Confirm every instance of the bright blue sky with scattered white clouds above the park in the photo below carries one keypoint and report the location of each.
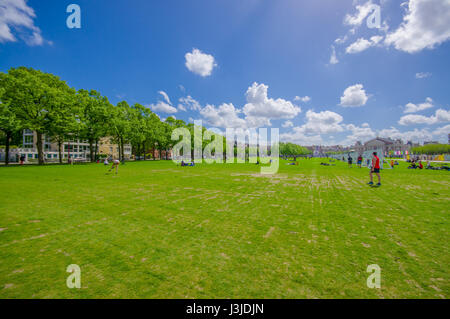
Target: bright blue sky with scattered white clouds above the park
(252, 63)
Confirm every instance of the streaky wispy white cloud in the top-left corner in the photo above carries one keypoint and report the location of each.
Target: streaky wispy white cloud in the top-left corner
(16, 19)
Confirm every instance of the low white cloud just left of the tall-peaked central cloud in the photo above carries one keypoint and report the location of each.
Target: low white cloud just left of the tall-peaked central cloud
(226, 115)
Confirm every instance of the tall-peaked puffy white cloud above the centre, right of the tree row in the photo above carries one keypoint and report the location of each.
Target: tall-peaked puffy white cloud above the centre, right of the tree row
(260, 109)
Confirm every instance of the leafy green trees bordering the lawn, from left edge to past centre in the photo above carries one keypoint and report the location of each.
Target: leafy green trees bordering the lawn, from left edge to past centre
(42, 102)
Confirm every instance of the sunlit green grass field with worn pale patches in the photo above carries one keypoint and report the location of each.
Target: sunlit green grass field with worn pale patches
(157, 230)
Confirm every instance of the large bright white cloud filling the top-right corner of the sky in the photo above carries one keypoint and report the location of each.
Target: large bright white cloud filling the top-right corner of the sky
(425, 25)
